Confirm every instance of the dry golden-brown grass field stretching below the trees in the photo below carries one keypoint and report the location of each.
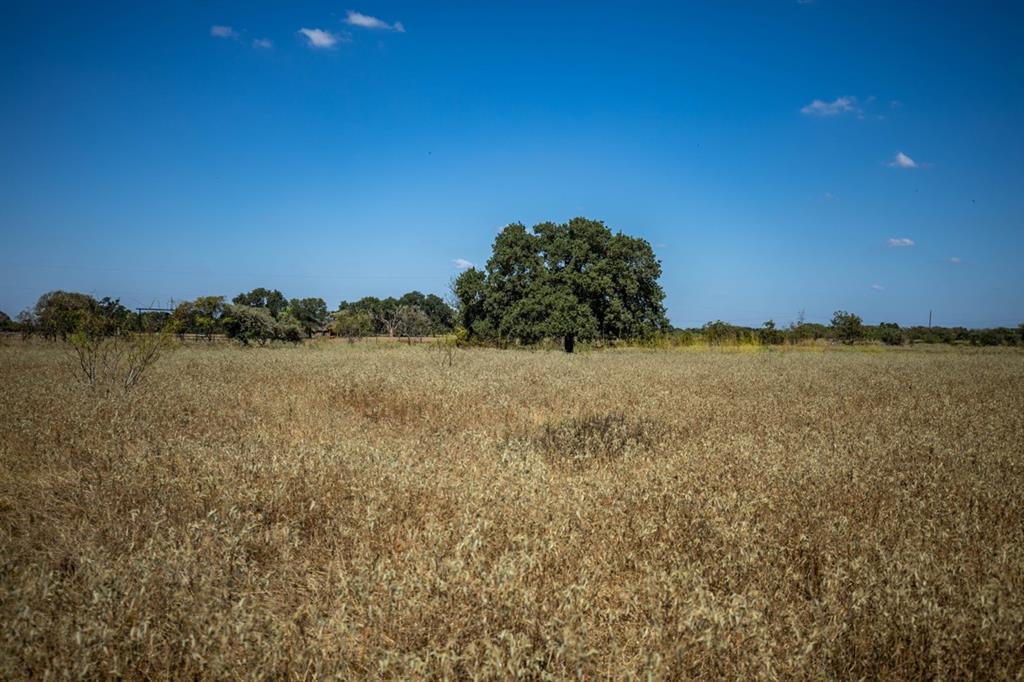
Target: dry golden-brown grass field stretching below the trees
(370, 513)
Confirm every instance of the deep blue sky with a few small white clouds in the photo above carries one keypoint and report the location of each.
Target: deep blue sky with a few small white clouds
(781, 156)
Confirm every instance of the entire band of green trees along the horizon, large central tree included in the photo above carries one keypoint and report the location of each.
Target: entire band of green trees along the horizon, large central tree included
(524, 295)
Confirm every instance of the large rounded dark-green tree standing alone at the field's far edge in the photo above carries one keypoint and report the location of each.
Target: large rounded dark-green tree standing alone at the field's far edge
(575, 281)
